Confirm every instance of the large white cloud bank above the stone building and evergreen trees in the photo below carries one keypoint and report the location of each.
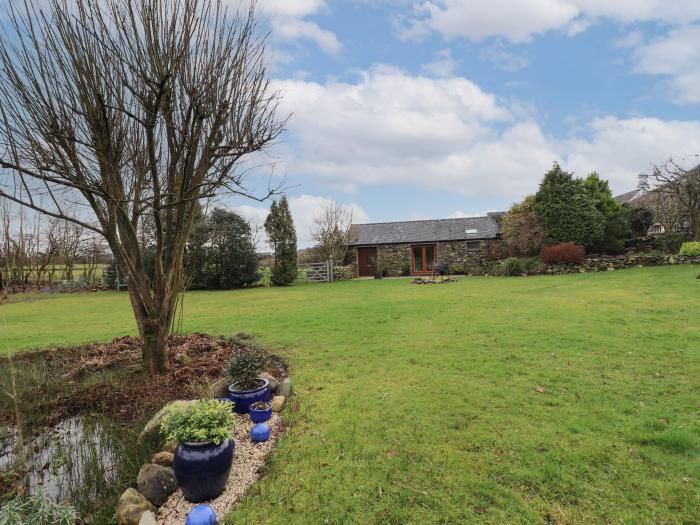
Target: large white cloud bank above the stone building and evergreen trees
(393, 129)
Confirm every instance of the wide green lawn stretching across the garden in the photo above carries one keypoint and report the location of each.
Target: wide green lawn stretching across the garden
(417, 404)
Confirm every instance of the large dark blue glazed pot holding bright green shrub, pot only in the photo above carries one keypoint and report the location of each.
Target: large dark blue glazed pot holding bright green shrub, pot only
(202, 469)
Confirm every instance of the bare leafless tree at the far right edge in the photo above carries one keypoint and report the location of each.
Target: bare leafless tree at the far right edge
(680, 184)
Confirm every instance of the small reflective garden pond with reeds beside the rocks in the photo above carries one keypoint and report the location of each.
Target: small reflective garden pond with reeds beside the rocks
(86, 461)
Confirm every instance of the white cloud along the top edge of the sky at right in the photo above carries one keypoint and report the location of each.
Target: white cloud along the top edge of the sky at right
(520, 20)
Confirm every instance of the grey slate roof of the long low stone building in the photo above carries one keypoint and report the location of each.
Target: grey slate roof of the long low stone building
(425, 231)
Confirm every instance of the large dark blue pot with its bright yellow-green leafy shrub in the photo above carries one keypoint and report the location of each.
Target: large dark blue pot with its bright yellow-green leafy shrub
(204, 453)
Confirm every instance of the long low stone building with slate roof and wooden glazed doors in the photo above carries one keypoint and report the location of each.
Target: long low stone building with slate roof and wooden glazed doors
(418, 247)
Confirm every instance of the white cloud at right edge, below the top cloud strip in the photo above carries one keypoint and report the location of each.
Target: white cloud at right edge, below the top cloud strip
(676, 56)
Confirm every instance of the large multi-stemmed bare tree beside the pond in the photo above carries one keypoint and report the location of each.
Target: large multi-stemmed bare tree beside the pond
(128, 109)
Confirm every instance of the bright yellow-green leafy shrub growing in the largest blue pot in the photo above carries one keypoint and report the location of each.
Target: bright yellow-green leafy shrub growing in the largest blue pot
(208, 420)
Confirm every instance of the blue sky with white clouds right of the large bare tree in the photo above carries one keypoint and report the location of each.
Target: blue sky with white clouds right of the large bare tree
(412, 109)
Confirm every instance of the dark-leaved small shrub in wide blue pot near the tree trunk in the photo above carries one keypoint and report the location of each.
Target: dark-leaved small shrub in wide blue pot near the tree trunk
(246, 387)
